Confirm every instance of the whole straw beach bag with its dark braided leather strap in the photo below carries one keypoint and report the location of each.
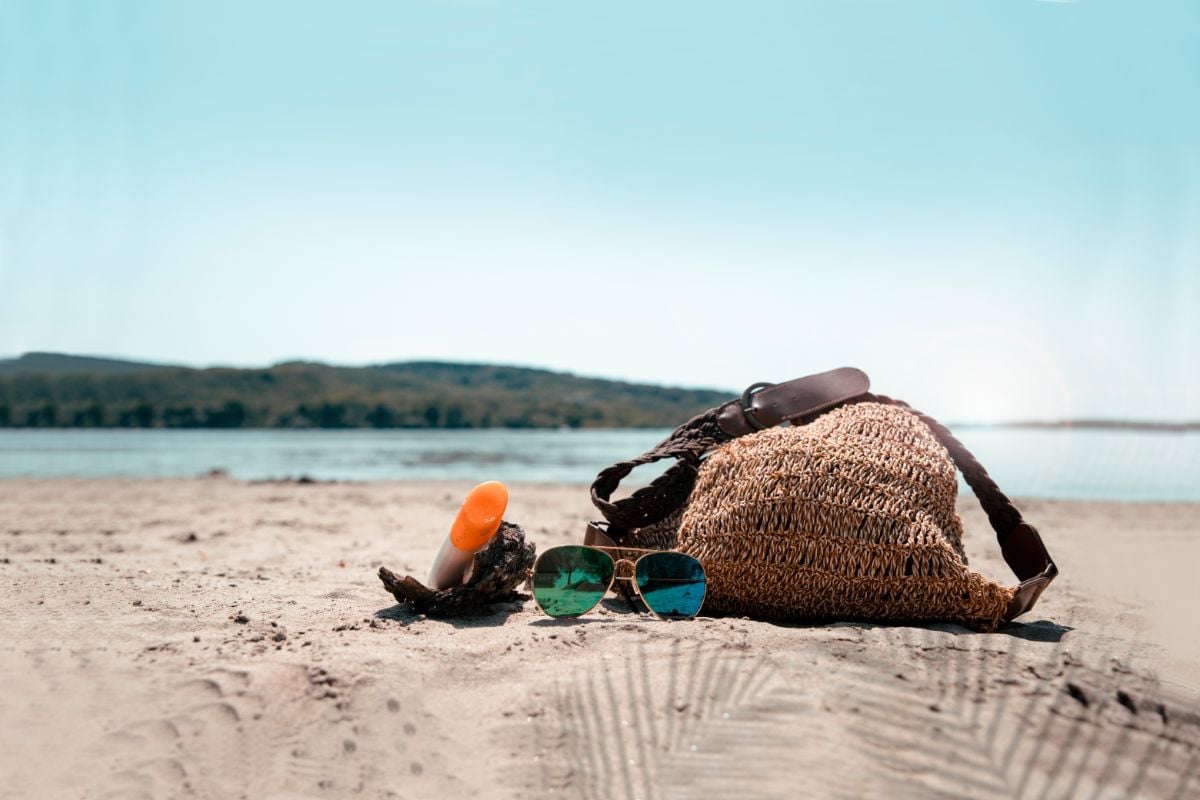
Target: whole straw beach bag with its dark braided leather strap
(818, 501)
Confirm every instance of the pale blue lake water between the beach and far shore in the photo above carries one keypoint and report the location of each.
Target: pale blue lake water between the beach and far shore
(1060, 464)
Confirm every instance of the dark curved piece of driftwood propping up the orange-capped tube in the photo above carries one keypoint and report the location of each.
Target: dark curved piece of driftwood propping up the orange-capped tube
(495, 574)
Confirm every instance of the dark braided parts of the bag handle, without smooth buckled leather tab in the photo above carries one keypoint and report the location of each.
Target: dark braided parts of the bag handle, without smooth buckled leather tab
(1019, 542)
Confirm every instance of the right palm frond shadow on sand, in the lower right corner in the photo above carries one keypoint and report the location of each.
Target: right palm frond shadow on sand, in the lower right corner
(1027, 724)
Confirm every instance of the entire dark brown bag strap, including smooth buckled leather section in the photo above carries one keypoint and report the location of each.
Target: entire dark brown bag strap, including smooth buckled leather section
(800, 401)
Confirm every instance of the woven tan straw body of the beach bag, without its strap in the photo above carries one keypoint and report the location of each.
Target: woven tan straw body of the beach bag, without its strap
(848, 518)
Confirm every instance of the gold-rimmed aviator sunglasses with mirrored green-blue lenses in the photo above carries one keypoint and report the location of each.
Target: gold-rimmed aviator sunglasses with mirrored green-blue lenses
(571, 580)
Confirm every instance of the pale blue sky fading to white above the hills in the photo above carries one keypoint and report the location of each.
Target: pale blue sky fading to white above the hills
(992, 208)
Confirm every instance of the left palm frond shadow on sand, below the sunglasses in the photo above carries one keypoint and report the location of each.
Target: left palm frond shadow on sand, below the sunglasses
(703, 724)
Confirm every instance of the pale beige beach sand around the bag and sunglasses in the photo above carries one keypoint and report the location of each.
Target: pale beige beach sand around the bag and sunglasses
(213, 639)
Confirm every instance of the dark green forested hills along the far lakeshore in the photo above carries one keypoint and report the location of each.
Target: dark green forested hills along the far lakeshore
(419, 395)
